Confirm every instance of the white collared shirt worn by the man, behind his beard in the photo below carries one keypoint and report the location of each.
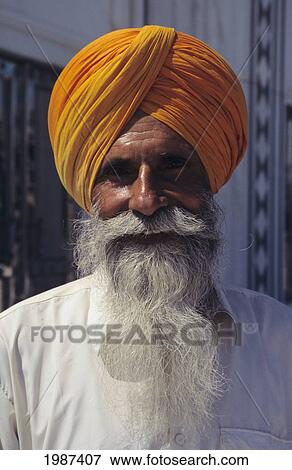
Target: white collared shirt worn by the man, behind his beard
(51, 395)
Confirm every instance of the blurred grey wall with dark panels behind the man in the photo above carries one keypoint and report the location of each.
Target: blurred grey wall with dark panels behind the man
(37, 38)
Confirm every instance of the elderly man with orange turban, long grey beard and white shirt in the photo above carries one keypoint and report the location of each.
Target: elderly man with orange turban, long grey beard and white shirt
(146, 350)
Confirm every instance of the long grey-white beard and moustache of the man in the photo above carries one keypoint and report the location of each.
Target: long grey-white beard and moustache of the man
(158, 274)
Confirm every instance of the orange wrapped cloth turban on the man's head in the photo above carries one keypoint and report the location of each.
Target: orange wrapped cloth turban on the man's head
(170, 75)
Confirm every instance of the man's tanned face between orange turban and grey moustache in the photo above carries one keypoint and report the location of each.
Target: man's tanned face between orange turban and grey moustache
(149, 167)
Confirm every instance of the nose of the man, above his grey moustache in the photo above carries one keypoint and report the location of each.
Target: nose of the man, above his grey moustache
(144, 195)
